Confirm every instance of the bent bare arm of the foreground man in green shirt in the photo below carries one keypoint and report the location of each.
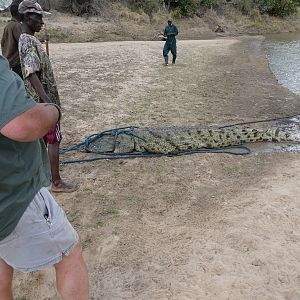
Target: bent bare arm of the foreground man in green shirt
(33, 124)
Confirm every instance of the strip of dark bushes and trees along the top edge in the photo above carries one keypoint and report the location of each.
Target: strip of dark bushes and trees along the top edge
(177, 8)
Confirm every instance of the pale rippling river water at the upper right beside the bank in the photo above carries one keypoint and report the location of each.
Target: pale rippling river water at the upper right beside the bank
(283, 52)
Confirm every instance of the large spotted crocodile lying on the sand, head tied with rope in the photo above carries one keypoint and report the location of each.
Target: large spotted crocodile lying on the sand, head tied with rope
(172, 140)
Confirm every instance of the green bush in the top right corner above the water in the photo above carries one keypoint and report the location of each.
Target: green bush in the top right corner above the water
(277, 7)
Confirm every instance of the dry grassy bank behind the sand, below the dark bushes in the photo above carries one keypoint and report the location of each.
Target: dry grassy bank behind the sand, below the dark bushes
(117, 22)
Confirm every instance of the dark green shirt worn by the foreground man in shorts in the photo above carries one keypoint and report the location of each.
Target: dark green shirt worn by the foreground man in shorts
(24, 167)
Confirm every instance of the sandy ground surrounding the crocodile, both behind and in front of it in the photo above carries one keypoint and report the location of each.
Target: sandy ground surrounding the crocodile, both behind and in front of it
(205, 226)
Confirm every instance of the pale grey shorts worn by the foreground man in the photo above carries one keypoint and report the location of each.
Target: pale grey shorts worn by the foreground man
(41, 237)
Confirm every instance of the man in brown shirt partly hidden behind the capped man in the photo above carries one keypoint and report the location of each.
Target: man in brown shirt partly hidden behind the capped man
(10, 39)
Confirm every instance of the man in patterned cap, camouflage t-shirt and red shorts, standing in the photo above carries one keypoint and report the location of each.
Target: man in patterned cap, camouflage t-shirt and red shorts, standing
(40, 83)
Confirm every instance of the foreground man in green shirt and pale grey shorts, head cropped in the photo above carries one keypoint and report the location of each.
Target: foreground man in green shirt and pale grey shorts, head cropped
(34, 230)
